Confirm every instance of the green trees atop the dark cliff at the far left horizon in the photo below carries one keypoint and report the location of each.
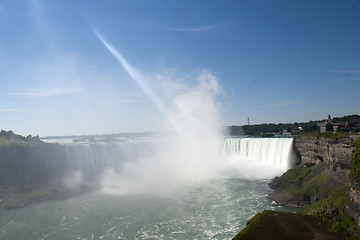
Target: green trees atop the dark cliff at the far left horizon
(10, 138)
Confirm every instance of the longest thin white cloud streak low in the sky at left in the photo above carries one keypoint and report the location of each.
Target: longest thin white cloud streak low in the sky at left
(48, 92)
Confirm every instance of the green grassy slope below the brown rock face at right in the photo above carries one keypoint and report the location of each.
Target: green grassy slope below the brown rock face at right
(321, 196)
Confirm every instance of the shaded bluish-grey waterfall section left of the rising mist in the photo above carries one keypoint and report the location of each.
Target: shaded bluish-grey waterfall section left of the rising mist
(87, 161)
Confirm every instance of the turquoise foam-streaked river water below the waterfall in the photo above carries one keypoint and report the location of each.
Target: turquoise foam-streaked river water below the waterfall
(214, 209)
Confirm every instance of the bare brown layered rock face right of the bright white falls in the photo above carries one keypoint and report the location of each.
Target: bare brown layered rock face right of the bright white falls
(334, 154)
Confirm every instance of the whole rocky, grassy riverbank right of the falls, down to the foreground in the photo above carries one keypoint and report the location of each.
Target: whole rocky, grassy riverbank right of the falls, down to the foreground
(320, 184)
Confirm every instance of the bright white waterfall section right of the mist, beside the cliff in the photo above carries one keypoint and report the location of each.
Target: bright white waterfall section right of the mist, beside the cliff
(258, 158)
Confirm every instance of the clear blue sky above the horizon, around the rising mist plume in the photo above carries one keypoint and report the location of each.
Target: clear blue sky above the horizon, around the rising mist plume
(275, 61)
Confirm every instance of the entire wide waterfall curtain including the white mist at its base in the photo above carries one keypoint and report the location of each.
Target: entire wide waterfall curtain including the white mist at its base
(252, 158)
